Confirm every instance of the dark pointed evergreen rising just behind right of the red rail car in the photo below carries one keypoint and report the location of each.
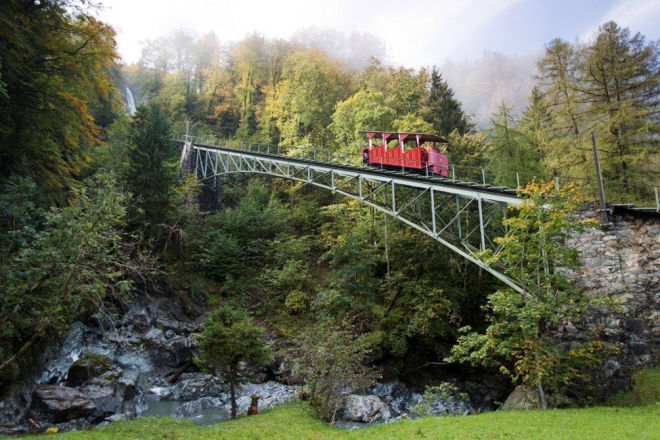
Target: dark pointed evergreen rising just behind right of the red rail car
(443, 110)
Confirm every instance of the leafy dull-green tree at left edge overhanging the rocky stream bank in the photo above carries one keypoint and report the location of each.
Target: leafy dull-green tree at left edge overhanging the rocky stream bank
(79, 256)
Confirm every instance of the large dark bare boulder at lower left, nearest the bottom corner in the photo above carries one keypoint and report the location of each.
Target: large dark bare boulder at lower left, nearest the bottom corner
(60, 404)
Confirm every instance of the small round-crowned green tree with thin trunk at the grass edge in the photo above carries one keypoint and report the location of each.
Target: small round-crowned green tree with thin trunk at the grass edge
(229, 338)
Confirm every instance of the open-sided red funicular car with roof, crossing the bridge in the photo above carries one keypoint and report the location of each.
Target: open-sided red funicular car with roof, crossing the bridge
(420, 159)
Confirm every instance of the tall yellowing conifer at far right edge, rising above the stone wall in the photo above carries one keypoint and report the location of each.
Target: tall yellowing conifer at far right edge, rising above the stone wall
(621, 87)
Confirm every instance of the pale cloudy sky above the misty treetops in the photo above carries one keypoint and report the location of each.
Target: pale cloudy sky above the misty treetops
(416, 32)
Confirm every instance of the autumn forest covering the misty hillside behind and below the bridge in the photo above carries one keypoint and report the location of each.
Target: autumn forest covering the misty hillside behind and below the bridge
(95, 213)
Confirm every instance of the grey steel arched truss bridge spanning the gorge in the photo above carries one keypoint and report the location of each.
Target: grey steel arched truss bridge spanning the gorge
(463, 216)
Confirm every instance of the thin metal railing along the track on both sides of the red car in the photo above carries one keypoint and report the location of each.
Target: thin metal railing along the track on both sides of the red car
(615, 192)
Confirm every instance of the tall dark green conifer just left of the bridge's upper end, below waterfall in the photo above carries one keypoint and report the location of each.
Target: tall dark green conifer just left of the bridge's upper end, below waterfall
(150, 173)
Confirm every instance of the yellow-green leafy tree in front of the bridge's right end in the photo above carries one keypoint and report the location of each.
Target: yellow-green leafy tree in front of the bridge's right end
(521, 337)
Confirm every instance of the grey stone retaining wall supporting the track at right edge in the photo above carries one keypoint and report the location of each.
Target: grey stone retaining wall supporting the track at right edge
(624, 261)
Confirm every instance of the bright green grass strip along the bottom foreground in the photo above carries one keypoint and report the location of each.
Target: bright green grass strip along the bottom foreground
(637, 418)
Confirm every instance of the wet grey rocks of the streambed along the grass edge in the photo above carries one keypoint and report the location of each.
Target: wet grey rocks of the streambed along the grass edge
(139, 363)
